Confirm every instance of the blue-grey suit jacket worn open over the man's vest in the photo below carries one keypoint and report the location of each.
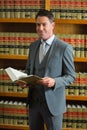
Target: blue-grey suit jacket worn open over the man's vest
(59, 66)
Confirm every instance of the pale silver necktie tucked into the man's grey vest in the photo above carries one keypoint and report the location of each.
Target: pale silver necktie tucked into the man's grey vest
(42, 51)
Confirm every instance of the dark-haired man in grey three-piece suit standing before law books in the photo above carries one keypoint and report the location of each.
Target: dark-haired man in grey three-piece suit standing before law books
(47, 97)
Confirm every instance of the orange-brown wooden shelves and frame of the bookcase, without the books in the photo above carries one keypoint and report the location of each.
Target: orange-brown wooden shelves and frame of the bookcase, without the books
(63, 26)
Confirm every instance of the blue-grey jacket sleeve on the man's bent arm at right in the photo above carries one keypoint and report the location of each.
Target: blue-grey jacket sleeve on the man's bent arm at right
(68, 69)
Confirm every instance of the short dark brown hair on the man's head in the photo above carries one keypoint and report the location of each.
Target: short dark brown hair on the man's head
(45, 13)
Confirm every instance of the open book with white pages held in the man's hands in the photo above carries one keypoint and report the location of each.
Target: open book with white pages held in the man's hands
(19, 76)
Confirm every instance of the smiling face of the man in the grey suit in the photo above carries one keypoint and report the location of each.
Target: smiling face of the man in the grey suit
(44, 27)
